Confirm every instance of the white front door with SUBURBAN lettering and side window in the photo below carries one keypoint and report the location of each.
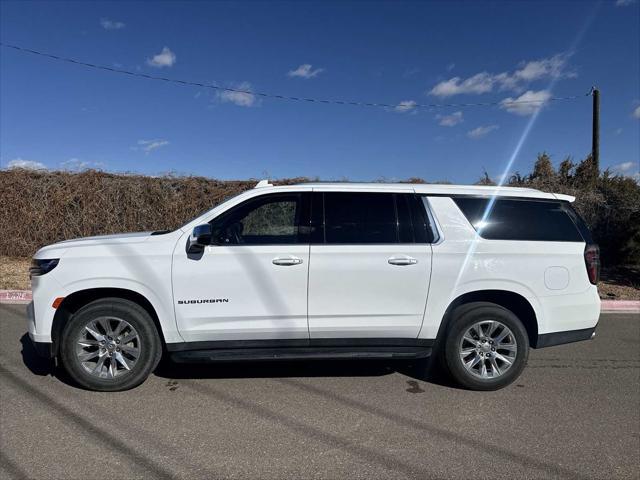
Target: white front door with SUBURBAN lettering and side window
(251, 283)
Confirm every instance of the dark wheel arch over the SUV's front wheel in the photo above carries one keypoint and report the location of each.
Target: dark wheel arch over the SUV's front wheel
(73, 302)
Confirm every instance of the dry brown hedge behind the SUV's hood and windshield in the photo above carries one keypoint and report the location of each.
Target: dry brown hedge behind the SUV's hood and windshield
(42, 207)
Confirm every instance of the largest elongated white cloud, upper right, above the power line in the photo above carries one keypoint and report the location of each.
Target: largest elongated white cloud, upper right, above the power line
(483, 82)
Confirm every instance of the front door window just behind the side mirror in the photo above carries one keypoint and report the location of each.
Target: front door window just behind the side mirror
(267, 220)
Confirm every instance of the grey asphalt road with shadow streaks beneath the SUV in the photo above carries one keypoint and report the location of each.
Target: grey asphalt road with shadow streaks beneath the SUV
(574, 413)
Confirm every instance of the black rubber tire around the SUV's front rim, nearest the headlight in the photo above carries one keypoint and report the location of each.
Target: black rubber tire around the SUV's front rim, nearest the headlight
(150, 344)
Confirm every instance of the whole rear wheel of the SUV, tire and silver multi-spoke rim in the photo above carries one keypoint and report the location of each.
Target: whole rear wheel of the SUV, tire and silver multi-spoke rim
(486, 347)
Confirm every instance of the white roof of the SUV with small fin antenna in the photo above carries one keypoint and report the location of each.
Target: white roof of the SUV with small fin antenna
(433, 189)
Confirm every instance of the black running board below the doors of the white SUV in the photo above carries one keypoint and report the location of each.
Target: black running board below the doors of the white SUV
(303, 353)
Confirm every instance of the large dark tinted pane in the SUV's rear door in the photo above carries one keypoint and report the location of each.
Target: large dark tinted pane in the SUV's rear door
(360, 218)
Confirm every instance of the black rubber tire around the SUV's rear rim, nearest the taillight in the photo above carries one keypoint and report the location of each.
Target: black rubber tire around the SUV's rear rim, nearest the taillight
(463, 319)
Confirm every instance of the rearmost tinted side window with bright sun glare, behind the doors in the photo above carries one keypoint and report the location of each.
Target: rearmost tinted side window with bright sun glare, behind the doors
(510, 219)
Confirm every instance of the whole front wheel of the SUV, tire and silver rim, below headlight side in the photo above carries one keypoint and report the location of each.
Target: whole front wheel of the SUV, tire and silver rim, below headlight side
(110, 344)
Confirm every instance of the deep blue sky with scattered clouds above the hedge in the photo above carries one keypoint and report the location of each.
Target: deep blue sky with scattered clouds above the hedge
(68, 117)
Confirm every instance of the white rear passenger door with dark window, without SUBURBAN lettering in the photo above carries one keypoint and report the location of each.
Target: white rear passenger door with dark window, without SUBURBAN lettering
(370, 265)
